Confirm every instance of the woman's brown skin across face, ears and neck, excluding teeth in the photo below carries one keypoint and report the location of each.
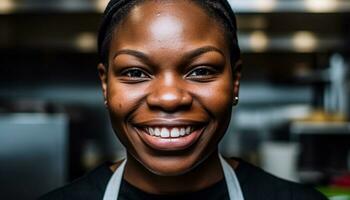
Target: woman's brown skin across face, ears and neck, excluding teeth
(168, 69)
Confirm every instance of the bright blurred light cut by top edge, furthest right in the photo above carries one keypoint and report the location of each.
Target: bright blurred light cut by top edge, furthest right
(321, 5)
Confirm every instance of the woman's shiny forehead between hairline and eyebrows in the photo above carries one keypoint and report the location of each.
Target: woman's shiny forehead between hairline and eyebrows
(168, 24)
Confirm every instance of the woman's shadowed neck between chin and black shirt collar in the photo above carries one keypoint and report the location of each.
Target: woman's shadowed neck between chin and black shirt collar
(204, 175)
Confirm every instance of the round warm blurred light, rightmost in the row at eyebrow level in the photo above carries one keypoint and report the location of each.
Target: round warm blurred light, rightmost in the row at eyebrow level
(304, 41)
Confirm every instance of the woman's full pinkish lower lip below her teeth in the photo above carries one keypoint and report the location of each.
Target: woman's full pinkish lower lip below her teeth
(170, 144)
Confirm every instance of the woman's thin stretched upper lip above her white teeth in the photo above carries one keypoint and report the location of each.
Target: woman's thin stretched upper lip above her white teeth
(169, 123)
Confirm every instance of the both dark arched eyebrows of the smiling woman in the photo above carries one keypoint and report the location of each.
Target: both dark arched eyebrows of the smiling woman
(188, 55)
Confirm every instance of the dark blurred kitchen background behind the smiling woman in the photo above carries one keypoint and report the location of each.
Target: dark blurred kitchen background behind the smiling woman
(292, 119)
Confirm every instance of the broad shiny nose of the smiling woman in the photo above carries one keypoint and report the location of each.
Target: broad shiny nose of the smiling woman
(169, 96)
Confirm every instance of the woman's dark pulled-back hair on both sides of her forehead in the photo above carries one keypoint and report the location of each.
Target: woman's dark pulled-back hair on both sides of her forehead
(118, 9)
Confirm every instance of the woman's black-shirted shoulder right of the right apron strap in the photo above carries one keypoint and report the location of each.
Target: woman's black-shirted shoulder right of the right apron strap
(258, 184)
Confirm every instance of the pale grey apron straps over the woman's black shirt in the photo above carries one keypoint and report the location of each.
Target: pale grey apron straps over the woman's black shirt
(233, 187)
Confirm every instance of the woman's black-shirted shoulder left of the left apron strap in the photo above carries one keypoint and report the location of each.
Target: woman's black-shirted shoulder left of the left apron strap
(91, 186)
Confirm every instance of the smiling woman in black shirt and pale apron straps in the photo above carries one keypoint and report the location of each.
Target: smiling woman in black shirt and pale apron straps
(170, 75)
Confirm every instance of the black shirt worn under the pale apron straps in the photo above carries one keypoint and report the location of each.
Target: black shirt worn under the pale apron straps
(255, 183)
